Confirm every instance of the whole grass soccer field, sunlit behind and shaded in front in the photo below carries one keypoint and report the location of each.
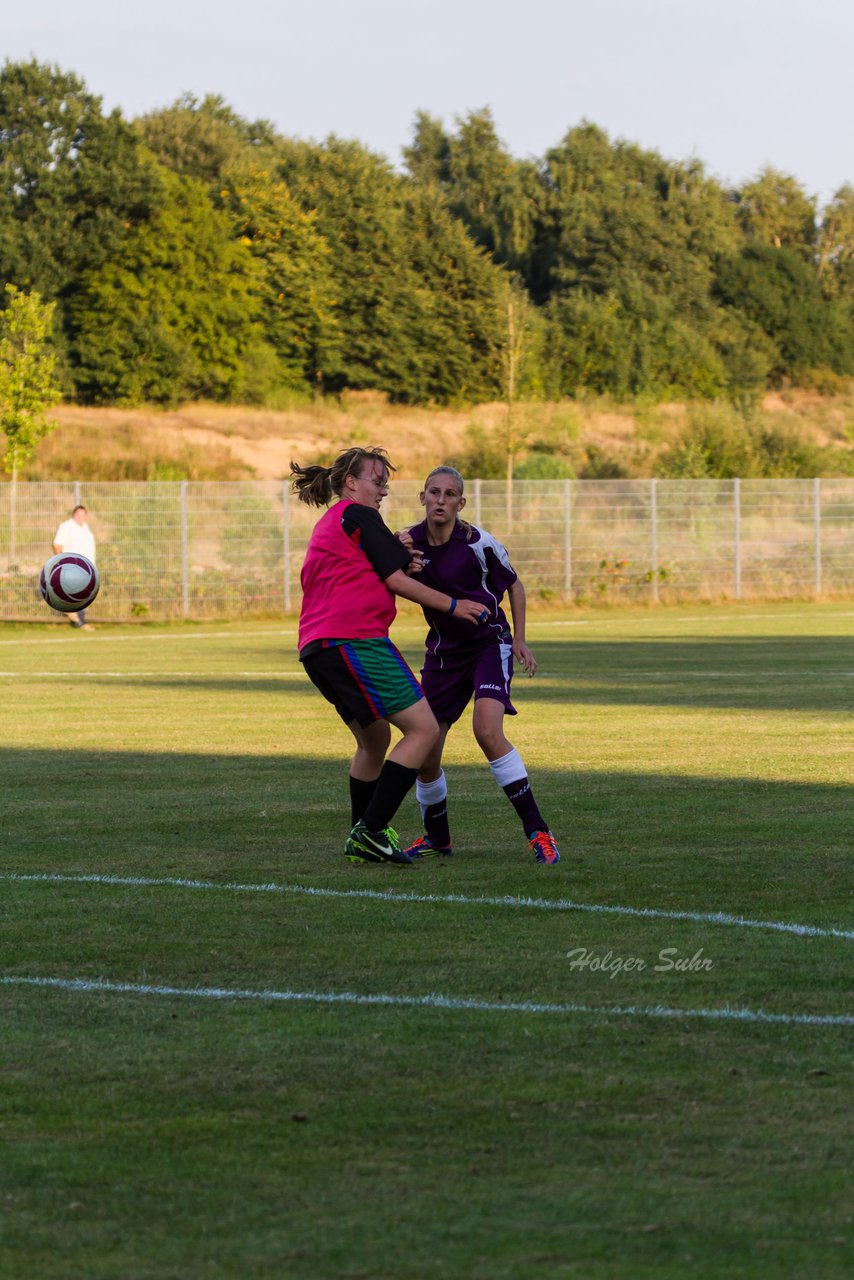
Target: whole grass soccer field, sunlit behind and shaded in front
(249, 1058)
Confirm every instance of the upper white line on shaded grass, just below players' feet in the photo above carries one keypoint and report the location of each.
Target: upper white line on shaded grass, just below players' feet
(533, 904)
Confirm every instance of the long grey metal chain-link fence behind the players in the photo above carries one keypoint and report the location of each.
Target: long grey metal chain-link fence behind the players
(182, 550)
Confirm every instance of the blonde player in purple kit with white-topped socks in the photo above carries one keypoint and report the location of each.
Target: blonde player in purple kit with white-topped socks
(463, 560)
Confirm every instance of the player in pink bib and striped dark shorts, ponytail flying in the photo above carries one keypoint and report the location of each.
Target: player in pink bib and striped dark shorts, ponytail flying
(353, 572)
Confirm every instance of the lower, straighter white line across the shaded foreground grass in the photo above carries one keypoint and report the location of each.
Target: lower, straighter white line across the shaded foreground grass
(430, 1002)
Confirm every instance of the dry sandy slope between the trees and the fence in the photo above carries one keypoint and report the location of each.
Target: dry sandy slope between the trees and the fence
(212, 442)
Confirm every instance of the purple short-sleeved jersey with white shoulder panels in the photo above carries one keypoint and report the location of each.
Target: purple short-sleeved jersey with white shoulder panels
(471, 566)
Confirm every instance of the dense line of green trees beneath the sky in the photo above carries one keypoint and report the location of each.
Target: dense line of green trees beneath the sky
(193, 254)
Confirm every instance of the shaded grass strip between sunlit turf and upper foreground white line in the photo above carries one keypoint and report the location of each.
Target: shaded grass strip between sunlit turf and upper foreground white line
(661, 840)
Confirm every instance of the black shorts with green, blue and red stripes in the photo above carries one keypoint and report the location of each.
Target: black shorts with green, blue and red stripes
(364, 680)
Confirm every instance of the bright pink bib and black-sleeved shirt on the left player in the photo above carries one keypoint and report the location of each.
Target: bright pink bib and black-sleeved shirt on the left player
(351, 554)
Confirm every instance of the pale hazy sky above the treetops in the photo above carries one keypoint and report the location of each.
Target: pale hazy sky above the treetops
(736, 84)
